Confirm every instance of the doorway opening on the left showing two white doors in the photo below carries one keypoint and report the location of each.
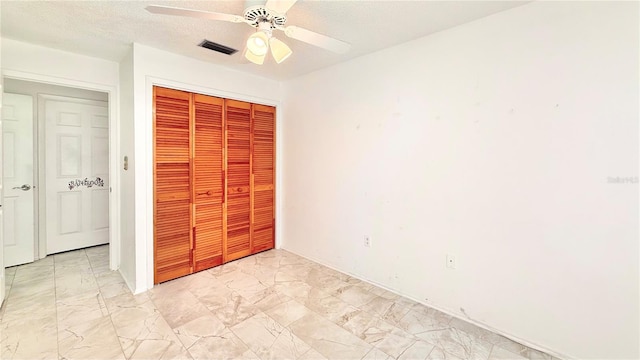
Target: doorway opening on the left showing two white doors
(56, 153)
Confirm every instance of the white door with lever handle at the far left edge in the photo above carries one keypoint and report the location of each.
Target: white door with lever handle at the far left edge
(17, 169)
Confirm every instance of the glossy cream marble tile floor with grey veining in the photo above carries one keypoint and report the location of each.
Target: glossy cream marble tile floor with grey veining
(274, 305)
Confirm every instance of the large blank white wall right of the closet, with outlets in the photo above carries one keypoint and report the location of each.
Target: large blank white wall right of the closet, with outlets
(493, 141)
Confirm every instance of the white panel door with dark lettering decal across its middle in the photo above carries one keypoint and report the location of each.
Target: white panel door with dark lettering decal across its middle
(77, 173)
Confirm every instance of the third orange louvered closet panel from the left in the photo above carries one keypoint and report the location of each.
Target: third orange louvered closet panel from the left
(238, 178)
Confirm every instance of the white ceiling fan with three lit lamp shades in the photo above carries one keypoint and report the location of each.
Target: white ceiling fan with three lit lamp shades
(264, 18)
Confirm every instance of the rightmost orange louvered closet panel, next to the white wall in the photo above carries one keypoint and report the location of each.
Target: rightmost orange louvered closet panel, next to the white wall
(263, 136)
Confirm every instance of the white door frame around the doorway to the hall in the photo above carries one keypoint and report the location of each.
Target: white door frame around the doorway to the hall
(114, 153)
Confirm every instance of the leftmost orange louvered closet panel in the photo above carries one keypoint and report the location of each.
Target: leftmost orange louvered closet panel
(172, 174)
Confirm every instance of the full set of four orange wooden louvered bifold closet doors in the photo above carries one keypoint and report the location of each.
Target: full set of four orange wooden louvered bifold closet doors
(213, 181)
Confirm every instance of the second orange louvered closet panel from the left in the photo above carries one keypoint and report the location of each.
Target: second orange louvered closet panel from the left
(208, 181)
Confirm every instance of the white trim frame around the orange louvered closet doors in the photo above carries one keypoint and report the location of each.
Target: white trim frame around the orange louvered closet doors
(148, 160)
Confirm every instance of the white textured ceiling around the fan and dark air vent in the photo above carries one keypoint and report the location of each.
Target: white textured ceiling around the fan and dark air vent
(106, 29)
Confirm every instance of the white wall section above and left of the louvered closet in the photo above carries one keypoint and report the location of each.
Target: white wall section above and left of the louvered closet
(152, 66)
